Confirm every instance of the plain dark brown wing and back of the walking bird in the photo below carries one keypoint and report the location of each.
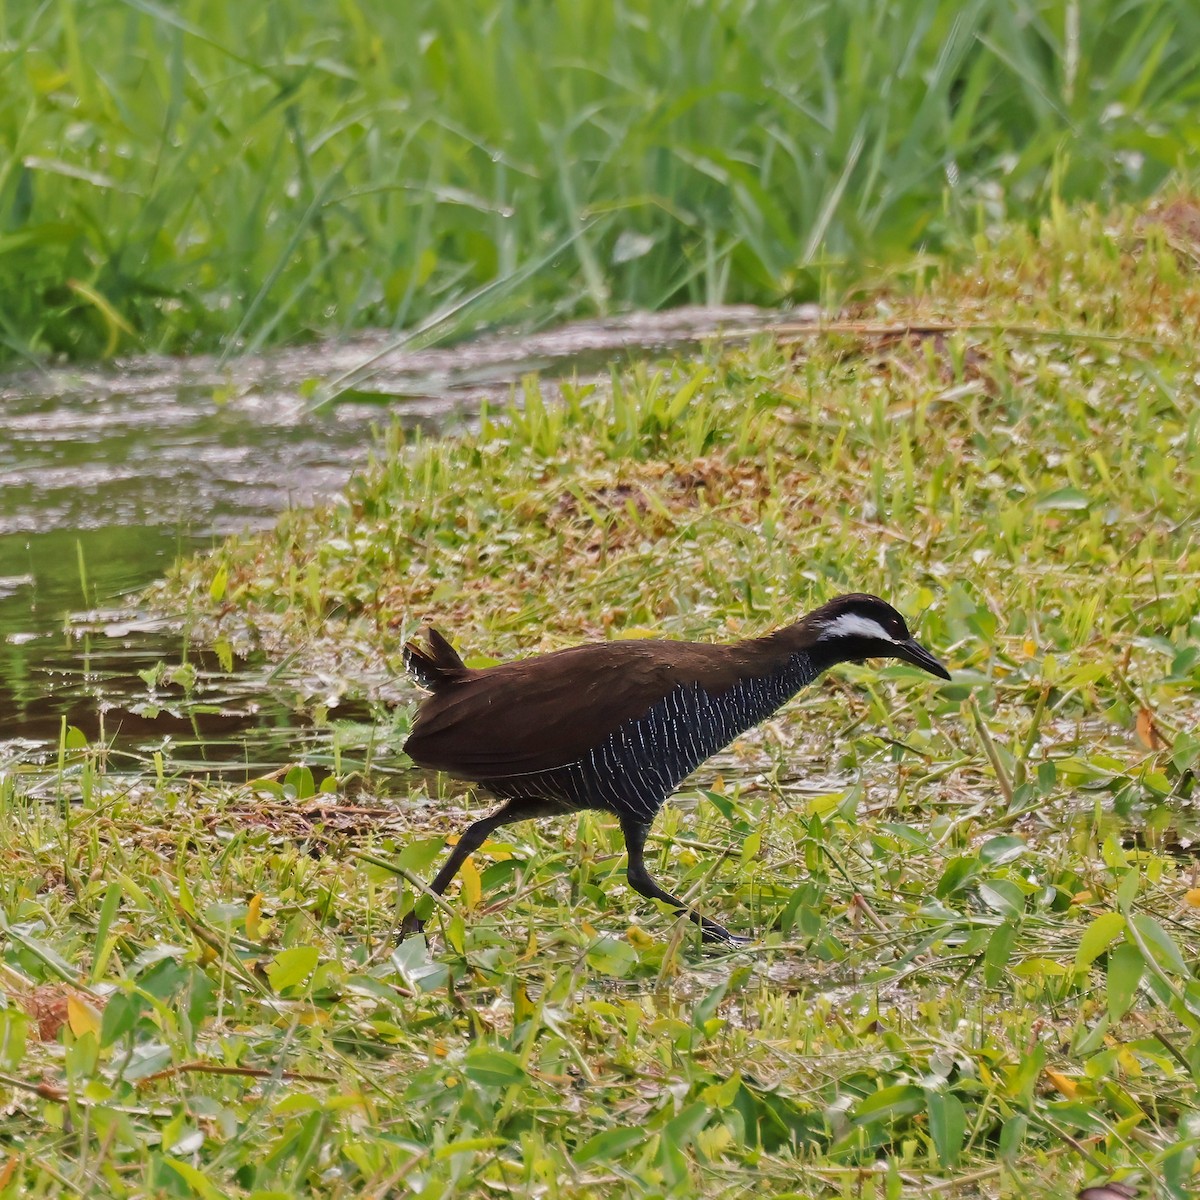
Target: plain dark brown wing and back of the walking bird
(544, 712)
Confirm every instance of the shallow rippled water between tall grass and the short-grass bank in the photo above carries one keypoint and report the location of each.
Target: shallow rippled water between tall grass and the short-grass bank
(107, 475)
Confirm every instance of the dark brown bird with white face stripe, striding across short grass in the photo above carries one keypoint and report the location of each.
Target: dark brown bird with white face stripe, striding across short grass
(617, 727)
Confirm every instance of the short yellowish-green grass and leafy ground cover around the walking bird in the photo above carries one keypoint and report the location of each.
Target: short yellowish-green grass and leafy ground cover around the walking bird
(976, 969)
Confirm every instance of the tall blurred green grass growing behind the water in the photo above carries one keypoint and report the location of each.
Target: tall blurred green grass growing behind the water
(208, 175)
